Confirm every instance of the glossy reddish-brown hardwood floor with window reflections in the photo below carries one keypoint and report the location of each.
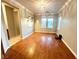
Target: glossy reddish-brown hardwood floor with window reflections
(39, 46)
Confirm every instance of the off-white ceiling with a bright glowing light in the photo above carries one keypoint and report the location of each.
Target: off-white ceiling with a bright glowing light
(42, 6)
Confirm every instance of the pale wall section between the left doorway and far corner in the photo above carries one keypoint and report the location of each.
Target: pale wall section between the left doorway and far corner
(27, 23)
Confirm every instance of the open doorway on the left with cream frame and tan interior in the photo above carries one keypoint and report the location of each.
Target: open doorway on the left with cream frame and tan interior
(12, 23)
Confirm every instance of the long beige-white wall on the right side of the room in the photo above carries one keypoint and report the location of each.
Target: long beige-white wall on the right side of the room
(69, 25)
